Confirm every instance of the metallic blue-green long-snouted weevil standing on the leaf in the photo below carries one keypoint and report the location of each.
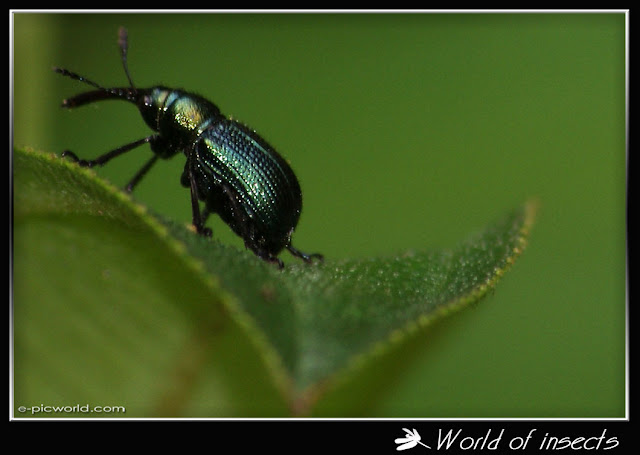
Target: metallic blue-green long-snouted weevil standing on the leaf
(229, 167)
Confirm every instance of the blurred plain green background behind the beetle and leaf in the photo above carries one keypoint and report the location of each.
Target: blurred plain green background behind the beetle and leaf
(406, 131)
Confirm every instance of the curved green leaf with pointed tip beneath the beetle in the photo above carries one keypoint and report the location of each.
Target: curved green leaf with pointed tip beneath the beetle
(116, 306)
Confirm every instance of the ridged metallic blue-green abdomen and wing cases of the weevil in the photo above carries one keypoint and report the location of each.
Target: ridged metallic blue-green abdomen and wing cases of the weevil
(241, 162)
